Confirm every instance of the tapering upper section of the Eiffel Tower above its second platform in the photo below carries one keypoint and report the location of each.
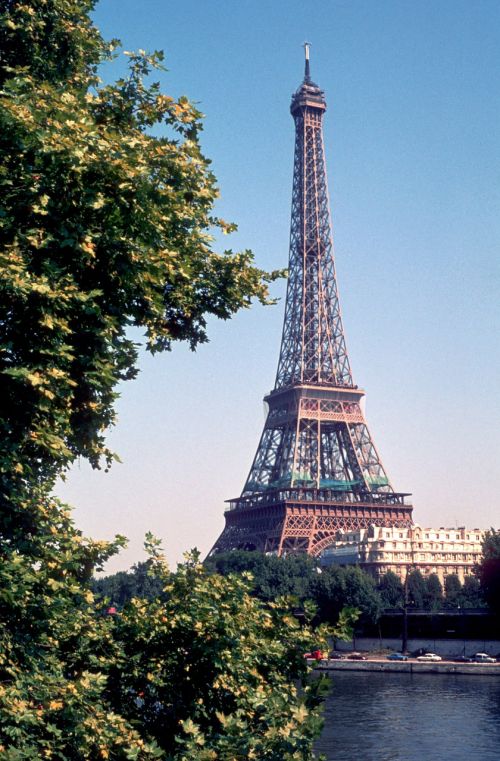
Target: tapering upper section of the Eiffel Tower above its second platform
(313, 346)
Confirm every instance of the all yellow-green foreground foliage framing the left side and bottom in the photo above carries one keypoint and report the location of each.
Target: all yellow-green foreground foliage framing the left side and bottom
(104, 226)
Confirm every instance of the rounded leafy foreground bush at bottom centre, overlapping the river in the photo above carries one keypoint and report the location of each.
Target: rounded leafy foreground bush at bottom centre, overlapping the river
(211, 672)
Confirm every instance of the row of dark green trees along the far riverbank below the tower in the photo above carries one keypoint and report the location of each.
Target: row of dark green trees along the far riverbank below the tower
(333, 588)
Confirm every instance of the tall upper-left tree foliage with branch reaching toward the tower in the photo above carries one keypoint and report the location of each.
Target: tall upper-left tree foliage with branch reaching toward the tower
(104, 225)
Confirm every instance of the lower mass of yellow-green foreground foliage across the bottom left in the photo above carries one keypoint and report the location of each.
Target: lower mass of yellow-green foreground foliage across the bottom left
(202, 670)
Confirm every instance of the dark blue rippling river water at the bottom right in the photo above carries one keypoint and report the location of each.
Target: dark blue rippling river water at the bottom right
(404, 717)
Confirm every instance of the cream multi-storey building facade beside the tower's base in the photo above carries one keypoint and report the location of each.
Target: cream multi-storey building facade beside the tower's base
(378, 549)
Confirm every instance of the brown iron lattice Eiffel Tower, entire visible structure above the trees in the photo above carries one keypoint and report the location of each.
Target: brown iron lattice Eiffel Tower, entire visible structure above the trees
(316, 472)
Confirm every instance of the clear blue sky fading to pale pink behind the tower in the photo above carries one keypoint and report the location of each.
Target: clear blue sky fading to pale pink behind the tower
(413, 152)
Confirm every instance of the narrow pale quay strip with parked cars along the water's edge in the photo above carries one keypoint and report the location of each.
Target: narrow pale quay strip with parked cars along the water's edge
(411, 667)
